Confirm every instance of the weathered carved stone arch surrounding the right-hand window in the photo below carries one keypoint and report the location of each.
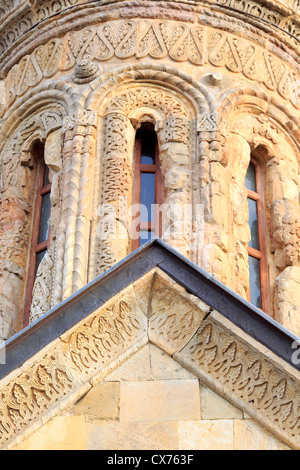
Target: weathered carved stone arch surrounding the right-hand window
(256, 120)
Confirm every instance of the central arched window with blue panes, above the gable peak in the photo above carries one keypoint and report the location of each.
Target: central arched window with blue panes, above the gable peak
(147, 186)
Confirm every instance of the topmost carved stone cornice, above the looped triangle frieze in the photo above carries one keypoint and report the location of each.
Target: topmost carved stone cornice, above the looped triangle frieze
(280, 17)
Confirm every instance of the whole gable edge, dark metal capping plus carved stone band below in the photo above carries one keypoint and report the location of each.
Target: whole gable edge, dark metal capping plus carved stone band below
(156, 295)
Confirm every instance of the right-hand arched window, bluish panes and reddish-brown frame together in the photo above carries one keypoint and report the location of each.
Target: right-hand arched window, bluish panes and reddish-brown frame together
(258, 293)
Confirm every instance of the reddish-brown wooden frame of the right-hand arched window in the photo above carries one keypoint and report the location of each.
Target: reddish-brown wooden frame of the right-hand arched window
(261, 254)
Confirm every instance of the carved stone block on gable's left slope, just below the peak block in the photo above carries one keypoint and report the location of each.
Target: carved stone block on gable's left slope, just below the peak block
(96, 343)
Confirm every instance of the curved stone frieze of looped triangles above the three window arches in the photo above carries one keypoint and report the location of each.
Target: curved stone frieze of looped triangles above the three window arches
(127, 39)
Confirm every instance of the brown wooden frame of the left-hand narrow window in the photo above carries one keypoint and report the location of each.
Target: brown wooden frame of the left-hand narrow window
(35, 246)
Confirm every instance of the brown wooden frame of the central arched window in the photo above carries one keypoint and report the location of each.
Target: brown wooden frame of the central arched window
(140, 168)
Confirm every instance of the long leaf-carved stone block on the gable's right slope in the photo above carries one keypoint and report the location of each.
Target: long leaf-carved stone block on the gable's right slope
(239, 372)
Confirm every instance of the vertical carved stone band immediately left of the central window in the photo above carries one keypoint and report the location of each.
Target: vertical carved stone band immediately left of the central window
(116, 183)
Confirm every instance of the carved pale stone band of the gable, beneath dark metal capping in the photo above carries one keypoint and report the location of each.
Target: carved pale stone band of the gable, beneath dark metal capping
(156, 309)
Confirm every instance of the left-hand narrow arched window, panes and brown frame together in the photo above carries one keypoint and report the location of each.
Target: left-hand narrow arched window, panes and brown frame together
(40, 227)
